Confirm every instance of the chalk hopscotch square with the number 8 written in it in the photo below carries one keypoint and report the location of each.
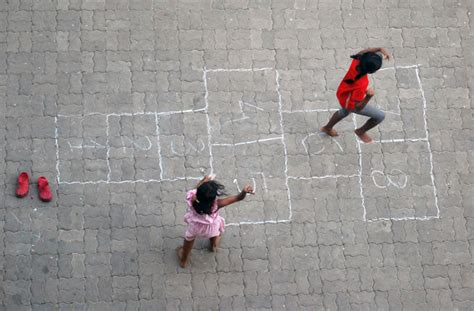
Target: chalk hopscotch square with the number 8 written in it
(397, 181)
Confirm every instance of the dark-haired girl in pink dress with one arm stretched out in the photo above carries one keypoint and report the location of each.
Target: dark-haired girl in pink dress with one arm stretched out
(203, 217)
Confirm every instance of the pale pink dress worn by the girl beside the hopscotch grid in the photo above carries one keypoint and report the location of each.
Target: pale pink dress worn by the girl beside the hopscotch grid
(203, 226)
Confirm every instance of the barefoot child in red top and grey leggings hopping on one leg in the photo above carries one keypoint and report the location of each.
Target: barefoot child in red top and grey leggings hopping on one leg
(353, 93)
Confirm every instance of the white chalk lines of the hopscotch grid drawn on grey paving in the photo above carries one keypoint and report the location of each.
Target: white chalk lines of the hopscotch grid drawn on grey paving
(281, 113)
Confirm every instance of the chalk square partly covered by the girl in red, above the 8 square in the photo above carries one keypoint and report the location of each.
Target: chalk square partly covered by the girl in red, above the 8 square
(399, 94)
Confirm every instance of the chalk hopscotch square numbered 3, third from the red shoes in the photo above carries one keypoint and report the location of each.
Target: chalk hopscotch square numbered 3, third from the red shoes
(184, 148)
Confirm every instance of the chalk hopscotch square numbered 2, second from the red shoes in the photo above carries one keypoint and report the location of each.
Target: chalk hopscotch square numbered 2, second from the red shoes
(133, 147)
